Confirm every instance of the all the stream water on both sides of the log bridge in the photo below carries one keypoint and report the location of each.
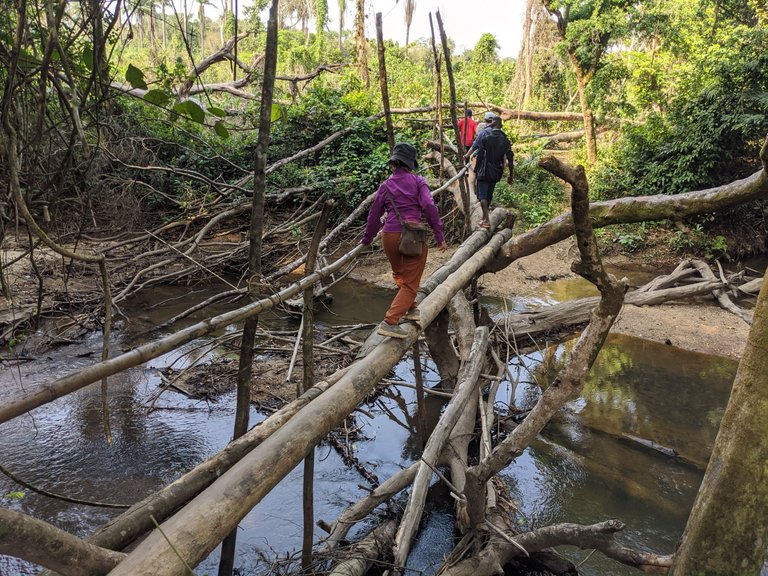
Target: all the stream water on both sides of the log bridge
(591, 463)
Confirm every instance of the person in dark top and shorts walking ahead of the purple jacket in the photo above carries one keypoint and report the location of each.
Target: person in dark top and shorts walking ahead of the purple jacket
(491, 146)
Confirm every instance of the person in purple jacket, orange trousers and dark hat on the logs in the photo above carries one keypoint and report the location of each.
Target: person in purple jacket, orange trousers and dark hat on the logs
(413, 199)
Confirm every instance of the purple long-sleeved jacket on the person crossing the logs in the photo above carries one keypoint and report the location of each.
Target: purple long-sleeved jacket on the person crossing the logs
(413, 198)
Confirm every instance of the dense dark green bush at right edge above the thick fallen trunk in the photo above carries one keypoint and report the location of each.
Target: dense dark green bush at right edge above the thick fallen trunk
(711, 134)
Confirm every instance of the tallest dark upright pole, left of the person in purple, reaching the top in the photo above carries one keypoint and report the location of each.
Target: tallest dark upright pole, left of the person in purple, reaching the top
(244, 370)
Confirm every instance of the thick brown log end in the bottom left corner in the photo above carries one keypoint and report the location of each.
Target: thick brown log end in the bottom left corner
(36, 541)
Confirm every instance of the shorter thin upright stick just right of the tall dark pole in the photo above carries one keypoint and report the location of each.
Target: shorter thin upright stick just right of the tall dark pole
(307, 383)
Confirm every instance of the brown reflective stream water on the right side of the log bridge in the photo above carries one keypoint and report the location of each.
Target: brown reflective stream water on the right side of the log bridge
(594, 460)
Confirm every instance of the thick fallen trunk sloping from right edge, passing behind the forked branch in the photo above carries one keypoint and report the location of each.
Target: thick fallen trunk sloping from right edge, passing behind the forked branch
(638, 209)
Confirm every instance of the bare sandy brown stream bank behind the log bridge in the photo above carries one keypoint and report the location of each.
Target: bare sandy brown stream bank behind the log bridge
(699, 326)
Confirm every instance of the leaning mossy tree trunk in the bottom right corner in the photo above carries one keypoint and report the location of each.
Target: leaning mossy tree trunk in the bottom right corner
(727, 531)
